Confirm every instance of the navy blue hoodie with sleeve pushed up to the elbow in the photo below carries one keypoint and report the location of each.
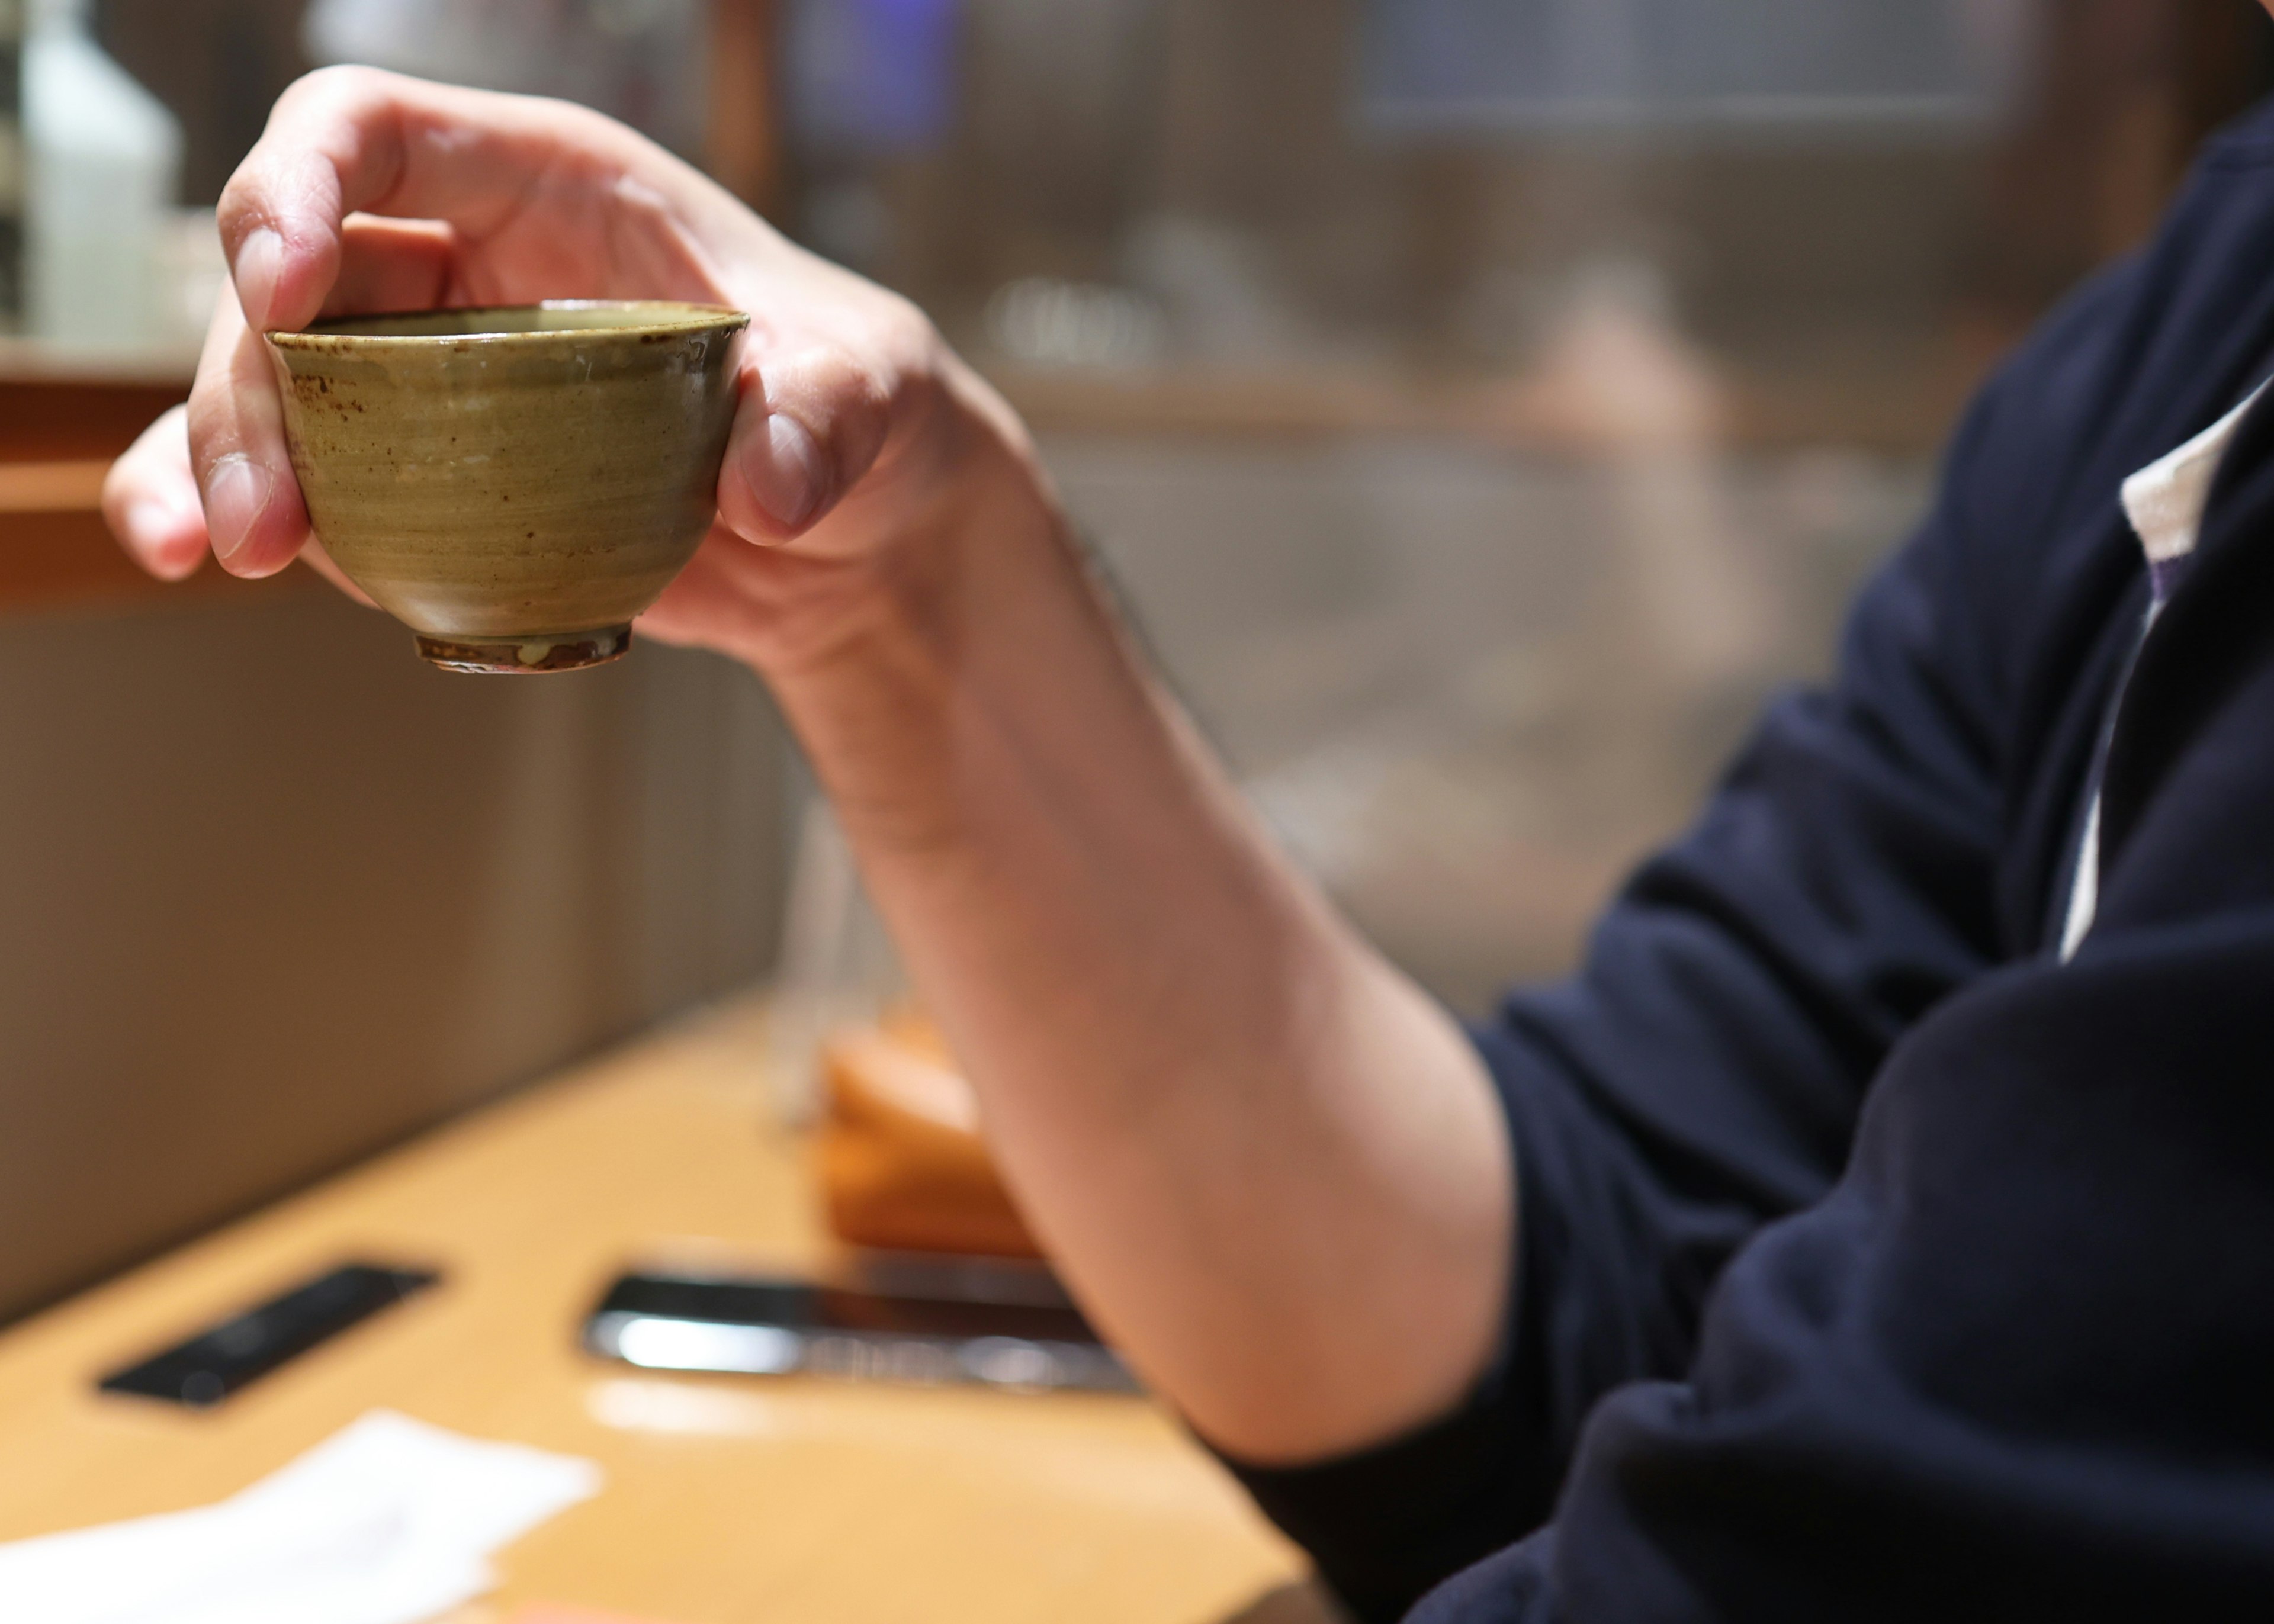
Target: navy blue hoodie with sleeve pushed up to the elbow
(1873, 1261)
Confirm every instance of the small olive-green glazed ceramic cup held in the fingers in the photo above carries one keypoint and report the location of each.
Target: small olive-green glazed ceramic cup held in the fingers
(513, 483)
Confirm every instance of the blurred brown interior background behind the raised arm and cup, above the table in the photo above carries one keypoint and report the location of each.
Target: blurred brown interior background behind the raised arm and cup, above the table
(1479, 404)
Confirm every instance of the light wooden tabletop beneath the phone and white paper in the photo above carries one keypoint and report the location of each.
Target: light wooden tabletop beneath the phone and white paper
(729, 1500)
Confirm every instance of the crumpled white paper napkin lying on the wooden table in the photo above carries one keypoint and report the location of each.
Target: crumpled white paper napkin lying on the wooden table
(388, 1523)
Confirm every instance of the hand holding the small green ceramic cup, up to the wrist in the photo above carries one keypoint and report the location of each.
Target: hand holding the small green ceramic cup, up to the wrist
(379, 192)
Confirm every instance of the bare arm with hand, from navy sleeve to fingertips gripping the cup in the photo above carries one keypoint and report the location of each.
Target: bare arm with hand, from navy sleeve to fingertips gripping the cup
(1263, 1159)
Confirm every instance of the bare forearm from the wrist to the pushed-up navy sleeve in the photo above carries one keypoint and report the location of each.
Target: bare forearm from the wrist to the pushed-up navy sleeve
(1268, 1163)
